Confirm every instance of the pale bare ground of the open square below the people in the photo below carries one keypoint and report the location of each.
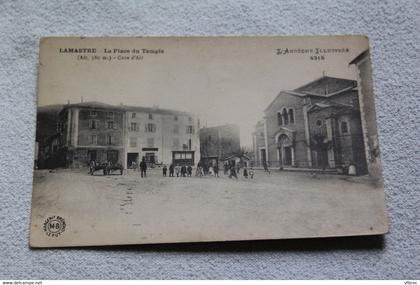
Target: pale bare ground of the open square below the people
(119, 209)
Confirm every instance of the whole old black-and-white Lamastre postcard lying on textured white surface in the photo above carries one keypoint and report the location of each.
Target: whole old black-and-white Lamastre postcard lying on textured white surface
(197, 139)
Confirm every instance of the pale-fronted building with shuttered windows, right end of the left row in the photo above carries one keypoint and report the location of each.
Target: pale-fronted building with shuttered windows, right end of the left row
(161, 136)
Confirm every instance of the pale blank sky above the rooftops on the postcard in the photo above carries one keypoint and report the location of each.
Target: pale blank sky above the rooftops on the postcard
(222, 80)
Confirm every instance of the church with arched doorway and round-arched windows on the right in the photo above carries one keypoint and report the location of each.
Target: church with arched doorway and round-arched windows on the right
(317, 125)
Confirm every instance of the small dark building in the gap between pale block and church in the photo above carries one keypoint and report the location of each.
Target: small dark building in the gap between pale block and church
(219, 142)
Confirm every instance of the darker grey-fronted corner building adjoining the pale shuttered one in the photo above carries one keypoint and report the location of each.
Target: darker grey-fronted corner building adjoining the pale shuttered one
(90, 131)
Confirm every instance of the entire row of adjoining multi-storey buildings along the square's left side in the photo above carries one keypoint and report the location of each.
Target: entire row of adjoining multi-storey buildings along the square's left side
(83, 132)
